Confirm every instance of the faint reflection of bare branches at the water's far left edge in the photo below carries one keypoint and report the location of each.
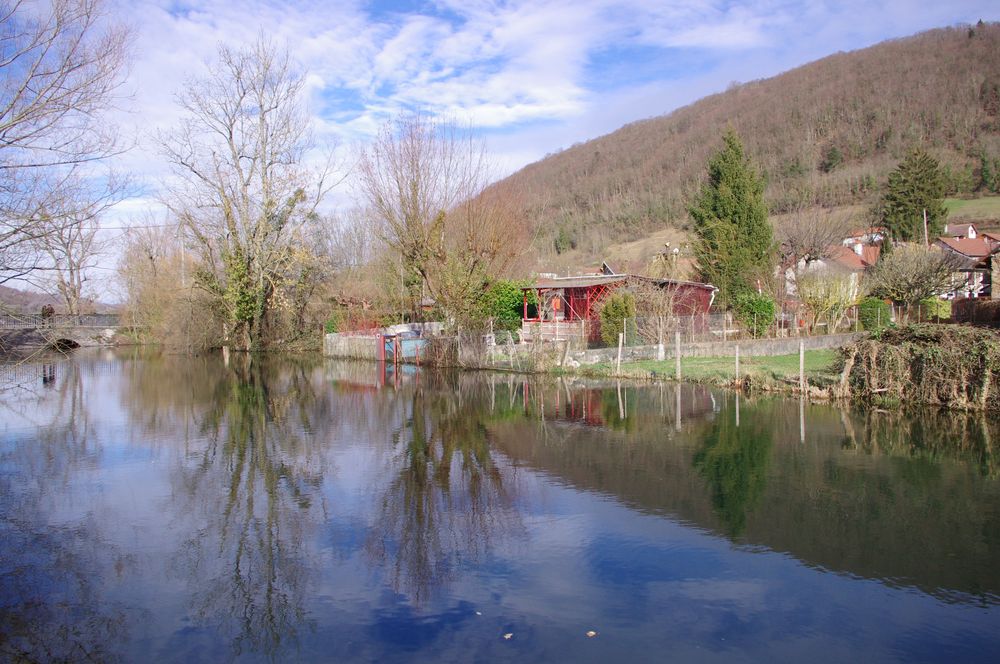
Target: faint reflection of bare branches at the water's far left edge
(51, 576)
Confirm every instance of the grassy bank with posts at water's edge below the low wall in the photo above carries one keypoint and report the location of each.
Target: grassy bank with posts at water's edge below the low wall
(775, 372)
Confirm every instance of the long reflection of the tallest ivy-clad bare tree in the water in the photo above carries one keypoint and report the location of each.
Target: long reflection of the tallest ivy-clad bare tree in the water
(255, 481)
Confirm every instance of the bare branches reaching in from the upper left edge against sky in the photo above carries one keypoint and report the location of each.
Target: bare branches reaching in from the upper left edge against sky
(60, 66)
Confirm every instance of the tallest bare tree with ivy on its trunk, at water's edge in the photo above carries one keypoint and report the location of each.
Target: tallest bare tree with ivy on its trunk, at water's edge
(244, 192)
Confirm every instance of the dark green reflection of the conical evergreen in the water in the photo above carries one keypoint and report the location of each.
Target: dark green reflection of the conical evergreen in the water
(734, 462)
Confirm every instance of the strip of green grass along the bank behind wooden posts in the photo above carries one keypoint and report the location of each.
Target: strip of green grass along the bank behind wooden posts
(819, 365)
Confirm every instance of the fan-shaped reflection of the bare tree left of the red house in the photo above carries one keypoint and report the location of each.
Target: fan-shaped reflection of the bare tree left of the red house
(450, 499)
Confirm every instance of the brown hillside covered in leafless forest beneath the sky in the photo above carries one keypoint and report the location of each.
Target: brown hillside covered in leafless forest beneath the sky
(825, 134)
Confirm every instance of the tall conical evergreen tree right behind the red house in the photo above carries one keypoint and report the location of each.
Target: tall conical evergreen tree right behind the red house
(734, 246)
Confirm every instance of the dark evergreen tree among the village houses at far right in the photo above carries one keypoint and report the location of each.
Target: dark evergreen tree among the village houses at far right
(916, 185)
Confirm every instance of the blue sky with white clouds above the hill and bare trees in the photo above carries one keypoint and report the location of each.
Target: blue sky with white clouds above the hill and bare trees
(534, 77)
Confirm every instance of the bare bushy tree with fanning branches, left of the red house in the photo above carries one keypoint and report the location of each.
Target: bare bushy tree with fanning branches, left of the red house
(426, 185)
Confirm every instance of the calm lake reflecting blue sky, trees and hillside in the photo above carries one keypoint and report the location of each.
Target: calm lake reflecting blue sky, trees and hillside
(164, 508)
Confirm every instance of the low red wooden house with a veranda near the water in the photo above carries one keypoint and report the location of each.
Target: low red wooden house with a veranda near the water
(573, 301)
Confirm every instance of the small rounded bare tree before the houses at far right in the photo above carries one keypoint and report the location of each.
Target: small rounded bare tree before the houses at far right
(912, 272)
